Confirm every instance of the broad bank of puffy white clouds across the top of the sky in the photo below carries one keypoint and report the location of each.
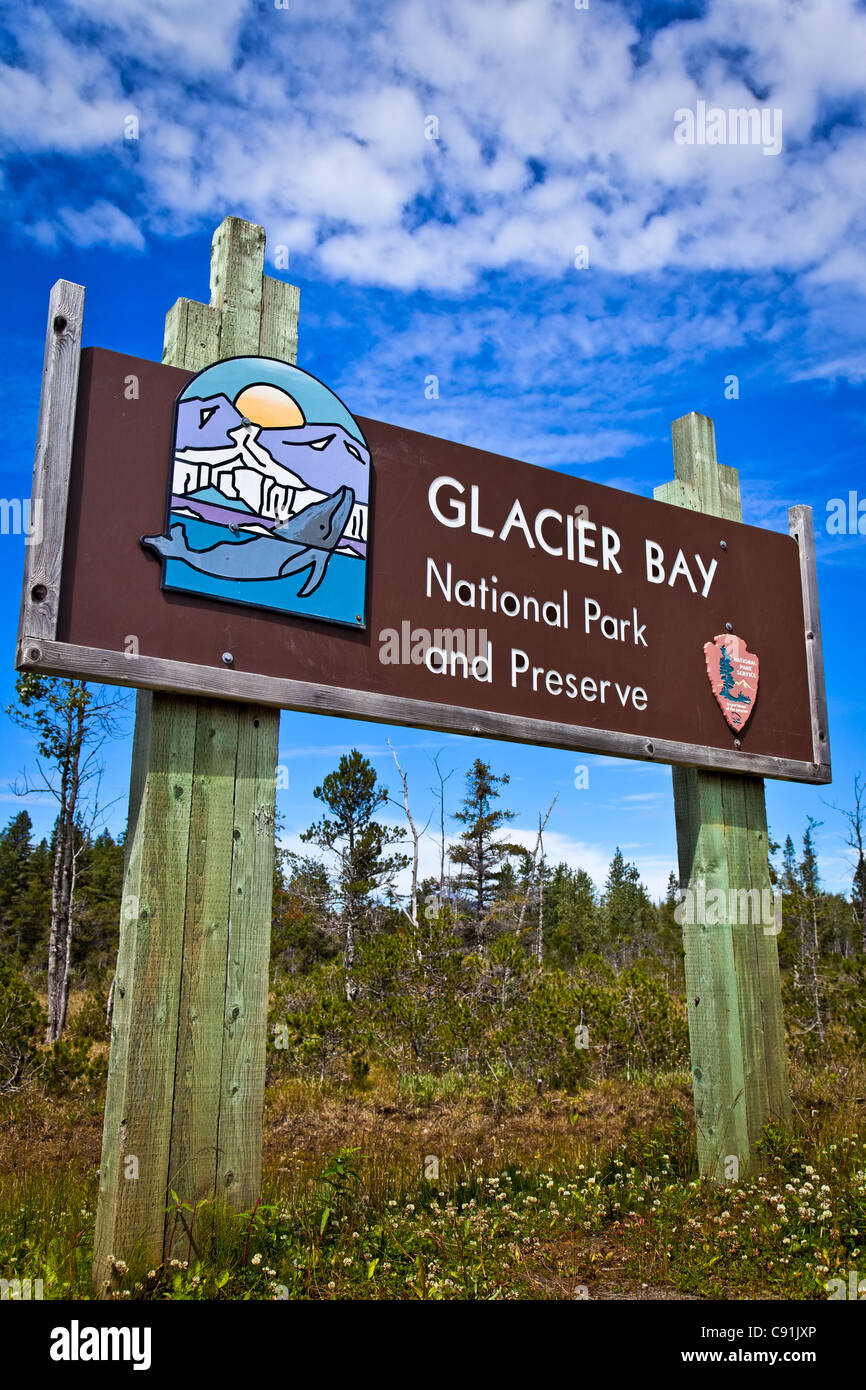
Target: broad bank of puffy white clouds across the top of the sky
(318, 122)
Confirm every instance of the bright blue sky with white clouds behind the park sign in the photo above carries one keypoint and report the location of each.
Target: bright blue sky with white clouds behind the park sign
(455, 256)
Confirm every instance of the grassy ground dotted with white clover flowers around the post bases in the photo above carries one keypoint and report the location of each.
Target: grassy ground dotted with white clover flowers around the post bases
(539, 1197)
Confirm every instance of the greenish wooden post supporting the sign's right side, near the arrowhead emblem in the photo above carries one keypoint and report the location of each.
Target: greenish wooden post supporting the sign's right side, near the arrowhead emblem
(740, 1072)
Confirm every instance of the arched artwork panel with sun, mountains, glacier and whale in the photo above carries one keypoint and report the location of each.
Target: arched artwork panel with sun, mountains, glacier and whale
(270, 494)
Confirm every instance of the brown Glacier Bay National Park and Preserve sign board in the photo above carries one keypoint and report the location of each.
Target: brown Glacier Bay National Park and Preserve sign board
(489, 597)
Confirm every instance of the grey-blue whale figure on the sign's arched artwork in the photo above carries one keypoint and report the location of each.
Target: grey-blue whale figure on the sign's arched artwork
(307, 540)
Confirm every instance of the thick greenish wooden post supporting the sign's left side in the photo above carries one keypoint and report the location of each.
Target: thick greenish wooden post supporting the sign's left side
(190, 1021)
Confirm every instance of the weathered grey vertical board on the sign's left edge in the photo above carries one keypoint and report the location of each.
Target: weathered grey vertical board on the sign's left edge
(44, 547)
